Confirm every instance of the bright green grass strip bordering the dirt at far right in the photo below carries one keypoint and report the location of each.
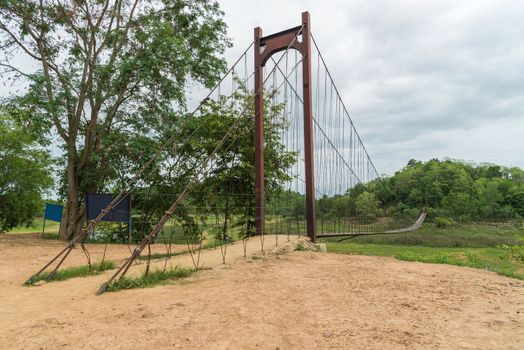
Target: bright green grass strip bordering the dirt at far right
(497, 259)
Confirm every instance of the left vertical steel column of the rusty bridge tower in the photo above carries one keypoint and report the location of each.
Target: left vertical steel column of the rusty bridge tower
(259, 135)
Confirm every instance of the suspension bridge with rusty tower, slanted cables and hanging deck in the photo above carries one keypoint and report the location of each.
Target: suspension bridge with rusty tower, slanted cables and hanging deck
(271, 149)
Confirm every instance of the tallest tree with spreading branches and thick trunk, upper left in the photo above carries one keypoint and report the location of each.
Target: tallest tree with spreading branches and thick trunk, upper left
(111, 77)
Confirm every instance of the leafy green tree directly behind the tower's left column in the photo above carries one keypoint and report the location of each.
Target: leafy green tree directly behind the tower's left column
(231, 184)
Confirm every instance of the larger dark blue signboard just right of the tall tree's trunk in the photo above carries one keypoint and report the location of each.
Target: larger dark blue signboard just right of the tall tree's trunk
(96, 202)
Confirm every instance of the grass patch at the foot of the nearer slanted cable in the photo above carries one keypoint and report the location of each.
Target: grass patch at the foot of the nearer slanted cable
(153, 278)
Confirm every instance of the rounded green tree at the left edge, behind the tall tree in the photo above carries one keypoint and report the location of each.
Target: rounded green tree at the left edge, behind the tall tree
(24, 176)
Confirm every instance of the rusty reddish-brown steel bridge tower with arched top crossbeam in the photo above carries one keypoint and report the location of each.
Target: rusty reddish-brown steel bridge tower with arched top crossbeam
(265, 47)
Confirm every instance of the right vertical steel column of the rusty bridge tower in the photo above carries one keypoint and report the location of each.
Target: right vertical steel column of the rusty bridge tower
(308, 127)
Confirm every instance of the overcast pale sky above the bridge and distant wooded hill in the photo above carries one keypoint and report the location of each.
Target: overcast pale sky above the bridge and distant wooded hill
(421, 79)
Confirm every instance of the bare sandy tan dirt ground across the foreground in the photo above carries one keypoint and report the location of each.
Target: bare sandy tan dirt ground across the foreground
(299, 300)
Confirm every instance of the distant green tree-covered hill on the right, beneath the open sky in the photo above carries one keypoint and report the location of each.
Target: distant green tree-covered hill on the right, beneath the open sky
(451, 189)
